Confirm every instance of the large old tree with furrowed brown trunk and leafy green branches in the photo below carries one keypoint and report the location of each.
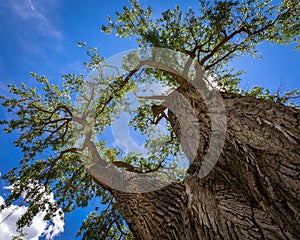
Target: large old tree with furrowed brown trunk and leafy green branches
(251, 192)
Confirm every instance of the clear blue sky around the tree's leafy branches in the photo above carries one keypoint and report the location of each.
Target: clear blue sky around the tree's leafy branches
(42, 36)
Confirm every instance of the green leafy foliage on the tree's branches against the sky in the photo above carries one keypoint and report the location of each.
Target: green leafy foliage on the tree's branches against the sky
(212, 36)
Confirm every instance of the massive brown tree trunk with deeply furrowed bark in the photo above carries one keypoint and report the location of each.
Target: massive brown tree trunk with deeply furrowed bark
(251, 193)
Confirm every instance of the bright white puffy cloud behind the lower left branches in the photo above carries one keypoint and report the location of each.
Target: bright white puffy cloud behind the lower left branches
(38, 228)
